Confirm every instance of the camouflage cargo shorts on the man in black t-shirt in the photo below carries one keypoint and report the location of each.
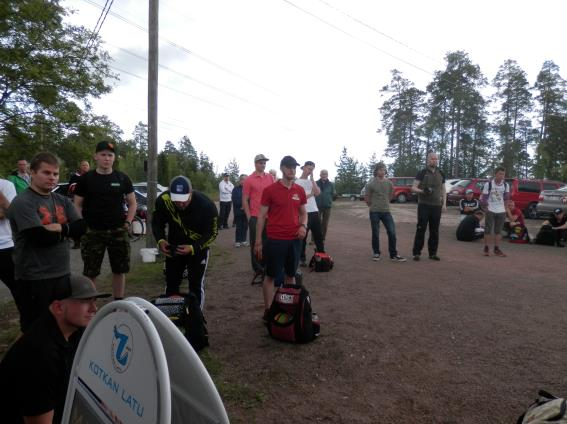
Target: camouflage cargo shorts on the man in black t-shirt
(95, 242)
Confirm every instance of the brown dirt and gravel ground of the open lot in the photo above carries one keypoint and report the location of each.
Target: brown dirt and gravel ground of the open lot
(466, 340)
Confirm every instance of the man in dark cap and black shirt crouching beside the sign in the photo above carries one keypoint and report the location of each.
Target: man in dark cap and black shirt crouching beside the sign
(34, 373)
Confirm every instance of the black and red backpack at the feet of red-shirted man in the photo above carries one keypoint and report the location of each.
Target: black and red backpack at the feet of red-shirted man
(290, 317)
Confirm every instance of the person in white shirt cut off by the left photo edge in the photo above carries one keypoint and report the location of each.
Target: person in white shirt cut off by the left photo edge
(7, 194)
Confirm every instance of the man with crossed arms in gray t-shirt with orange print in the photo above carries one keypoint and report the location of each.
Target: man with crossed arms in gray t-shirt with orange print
(41, 222)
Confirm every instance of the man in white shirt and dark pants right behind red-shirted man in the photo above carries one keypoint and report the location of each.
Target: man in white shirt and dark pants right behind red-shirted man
(313, 221)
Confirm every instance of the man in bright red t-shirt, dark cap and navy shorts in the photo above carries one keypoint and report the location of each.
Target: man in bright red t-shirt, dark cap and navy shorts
(284, 201)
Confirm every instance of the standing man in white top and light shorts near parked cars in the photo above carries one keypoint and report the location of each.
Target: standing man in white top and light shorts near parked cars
(495, 194)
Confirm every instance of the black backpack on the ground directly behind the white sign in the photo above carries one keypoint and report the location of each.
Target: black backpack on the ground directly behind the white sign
(185, 312)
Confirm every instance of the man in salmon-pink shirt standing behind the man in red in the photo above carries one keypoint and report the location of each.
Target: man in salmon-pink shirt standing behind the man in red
(252, 190)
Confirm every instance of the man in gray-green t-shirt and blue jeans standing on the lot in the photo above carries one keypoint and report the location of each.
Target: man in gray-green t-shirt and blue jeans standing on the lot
(379, 191)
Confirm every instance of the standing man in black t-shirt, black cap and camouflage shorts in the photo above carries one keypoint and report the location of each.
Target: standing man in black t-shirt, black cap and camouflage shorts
(100, 196)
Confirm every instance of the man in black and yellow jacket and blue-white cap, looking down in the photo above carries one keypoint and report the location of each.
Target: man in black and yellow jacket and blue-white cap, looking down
(192, 226)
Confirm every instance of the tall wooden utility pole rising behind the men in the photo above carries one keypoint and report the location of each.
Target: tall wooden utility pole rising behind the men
(153, 61)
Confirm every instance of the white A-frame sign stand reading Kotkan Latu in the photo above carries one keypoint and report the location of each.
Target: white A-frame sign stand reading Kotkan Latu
(134, 366)
